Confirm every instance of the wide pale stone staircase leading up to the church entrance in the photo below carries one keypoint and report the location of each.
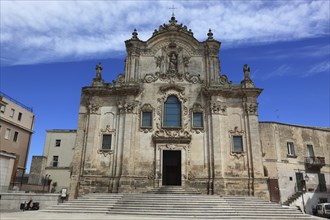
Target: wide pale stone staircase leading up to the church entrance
(176, 202)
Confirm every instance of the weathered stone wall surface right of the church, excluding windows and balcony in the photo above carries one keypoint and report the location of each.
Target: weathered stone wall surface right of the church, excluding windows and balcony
(282, 166)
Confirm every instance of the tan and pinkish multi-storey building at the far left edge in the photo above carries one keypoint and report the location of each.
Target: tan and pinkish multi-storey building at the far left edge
(16, 129)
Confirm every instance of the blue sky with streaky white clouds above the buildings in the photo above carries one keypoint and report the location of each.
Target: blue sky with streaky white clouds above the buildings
(49, 50)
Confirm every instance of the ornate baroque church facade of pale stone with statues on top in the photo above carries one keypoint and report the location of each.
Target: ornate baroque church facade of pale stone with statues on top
(171, 119)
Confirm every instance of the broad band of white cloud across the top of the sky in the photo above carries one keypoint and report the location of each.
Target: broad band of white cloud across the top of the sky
(54, 30)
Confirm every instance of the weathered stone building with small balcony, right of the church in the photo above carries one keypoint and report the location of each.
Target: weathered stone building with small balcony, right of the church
(297, 157)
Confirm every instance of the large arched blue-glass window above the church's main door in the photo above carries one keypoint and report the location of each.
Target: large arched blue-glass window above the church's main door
(172, 112)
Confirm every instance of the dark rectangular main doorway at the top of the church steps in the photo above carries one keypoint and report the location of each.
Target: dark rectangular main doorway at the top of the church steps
(172, 167)
